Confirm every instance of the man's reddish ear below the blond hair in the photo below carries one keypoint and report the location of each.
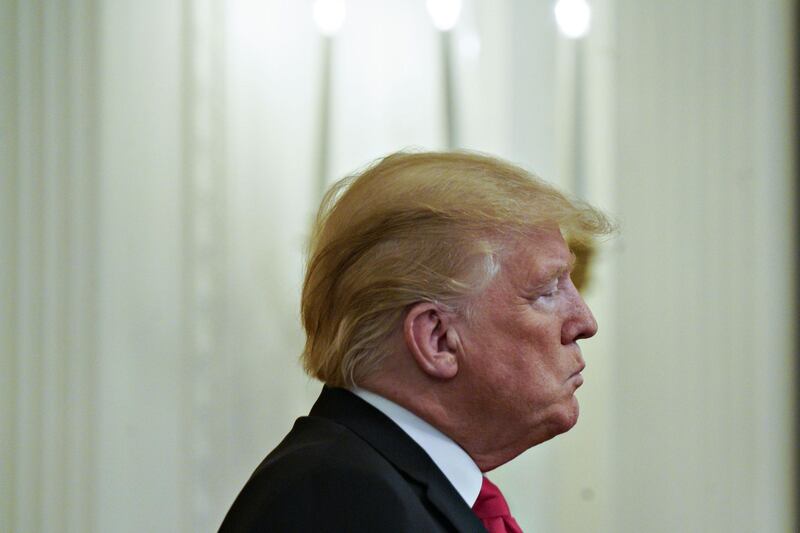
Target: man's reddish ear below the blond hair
(431, 340)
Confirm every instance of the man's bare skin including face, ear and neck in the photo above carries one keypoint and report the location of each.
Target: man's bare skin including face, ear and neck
(503, 379)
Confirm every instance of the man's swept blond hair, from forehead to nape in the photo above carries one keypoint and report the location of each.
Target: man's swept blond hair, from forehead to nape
(416, 227)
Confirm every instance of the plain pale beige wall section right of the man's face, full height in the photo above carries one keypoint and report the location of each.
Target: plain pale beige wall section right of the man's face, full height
(703, 377)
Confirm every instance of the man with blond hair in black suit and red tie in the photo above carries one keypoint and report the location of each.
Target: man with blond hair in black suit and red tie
(440, 315)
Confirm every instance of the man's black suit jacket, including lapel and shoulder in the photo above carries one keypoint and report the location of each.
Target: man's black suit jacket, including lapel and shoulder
(348, 467)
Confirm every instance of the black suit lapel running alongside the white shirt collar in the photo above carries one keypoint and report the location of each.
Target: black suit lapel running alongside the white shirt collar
(398, 448)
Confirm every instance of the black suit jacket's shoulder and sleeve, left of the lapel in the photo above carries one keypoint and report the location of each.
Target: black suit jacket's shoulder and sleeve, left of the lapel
(324, 477)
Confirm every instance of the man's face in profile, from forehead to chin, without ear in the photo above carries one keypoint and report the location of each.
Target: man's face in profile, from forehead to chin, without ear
(519, 344)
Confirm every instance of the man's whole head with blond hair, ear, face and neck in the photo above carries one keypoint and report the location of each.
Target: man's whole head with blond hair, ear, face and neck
(447, 274)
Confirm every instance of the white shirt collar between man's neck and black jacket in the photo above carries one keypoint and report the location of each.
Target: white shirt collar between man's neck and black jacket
(457, 466)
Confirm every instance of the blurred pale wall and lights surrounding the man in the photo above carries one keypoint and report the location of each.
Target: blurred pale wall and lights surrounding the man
(161, 162)
